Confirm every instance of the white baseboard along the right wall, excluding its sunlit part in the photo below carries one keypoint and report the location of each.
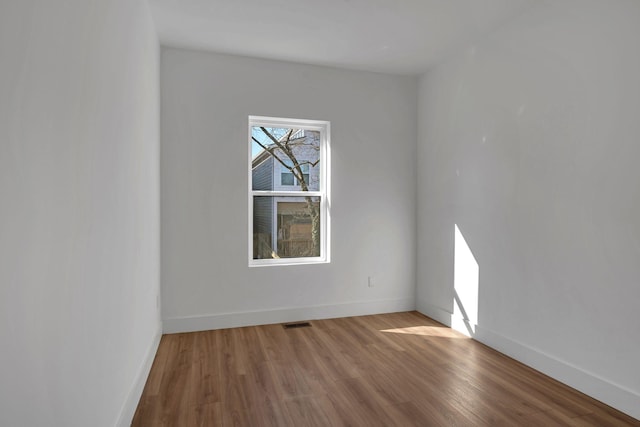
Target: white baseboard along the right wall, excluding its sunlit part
(612, 394)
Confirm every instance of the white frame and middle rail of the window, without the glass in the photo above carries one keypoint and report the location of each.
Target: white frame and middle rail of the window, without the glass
(323, 127)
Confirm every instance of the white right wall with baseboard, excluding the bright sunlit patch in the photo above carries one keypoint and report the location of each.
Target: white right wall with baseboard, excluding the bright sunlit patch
(529, 141)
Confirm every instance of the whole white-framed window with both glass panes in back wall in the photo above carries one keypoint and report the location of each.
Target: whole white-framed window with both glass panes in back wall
(288, 191)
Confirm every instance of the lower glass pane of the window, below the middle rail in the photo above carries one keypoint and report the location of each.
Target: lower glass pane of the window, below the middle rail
(286, 227)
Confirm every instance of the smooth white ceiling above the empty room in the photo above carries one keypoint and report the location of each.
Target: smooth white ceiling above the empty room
(391, 36)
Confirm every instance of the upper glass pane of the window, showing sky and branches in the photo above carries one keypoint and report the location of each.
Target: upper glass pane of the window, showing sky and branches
(276, 150)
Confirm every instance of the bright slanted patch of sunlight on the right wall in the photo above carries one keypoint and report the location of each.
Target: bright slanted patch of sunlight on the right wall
(466, 281)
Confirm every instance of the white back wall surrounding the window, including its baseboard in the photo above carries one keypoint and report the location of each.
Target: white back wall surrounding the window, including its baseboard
(206, 101)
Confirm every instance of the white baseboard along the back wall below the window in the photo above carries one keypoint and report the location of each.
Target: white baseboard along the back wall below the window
(252, 318)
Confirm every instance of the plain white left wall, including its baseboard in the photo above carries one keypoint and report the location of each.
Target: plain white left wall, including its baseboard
(79, 211)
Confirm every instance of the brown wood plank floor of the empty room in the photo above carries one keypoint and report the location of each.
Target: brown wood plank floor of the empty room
(400, 369)
